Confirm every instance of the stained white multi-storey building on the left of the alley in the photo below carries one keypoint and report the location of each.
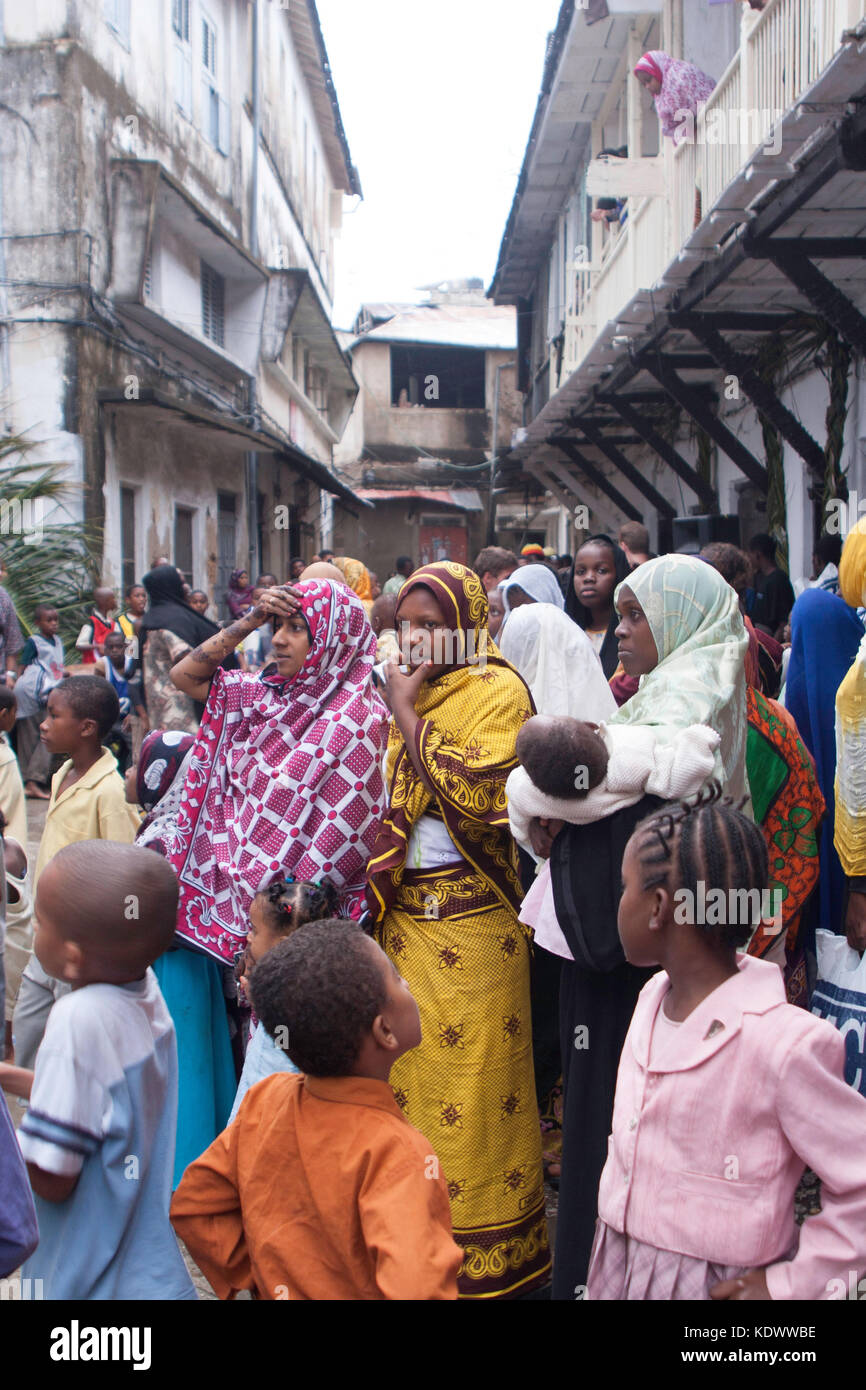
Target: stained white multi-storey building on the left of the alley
(173, 184)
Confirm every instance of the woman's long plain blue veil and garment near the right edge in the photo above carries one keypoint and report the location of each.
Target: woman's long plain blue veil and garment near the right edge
(825, 639)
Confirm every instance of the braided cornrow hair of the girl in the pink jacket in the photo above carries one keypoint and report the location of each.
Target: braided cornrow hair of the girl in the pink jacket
(708, 840)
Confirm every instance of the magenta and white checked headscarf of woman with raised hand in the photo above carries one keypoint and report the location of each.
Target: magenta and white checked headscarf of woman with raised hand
(284, 778)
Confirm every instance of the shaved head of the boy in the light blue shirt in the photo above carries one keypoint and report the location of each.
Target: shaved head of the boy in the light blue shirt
(104, 913)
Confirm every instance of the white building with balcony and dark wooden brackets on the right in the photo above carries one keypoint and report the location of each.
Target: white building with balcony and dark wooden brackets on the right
(687, 357)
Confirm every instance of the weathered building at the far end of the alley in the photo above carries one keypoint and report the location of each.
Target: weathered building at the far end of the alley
(433, 379)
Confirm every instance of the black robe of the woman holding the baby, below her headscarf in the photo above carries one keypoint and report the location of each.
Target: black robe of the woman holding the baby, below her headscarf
(598, 995)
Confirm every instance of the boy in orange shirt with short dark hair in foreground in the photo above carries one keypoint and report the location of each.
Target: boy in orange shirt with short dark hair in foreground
(322, 1189)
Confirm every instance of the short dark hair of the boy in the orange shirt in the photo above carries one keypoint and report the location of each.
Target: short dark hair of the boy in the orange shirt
(325, 988)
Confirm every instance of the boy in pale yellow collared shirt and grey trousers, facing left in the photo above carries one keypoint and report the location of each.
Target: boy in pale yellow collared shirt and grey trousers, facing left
(88, 803)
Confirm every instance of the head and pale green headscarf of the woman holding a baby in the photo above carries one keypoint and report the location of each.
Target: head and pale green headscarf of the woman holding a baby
(682, 632)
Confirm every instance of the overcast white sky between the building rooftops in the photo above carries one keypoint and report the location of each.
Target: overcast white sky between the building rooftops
(437, 99)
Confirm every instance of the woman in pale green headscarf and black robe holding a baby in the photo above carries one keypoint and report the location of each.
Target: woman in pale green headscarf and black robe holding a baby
(682, 633)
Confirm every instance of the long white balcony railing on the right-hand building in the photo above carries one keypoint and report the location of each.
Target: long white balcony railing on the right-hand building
(786, 51)
